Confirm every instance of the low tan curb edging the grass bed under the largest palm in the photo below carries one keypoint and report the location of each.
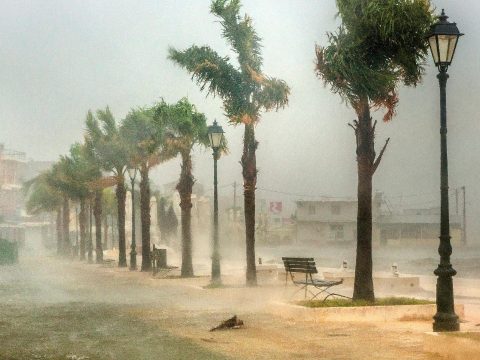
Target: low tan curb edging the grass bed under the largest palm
(360, 313)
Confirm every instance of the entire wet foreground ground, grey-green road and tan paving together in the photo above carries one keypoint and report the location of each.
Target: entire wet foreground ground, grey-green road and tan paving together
(54, 309)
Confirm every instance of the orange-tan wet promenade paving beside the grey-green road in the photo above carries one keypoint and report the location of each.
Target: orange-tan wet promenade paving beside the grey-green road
(268, 335)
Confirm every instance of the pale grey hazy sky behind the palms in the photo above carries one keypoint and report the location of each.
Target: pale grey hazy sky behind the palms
(59, 58)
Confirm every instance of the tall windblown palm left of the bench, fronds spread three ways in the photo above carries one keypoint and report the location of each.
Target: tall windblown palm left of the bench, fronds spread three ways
(245, 92)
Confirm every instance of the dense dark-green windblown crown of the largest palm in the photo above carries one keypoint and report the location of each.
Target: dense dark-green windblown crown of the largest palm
(378, 45)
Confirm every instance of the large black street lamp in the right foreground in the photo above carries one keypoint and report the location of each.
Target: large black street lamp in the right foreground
(443, 38)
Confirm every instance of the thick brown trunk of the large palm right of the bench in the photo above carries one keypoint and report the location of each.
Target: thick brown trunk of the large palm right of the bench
(365, 133)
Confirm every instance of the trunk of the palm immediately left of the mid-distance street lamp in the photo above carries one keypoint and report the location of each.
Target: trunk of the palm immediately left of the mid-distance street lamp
(184, 188)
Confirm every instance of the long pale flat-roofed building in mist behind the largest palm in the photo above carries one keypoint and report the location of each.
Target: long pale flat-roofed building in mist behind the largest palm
(335, 221)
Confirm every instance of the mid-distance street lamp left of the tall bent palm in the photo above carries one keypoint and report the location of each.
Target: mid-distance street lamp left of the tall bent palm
(215, 135)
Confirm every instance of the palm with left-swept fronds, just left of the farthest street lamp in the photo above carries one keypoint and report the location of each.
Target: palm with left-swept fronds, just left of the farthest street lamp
(111, 151)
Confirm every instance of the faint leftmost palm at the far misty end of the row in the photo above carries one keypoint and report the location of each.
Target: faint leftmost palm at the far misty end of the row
(41, 197)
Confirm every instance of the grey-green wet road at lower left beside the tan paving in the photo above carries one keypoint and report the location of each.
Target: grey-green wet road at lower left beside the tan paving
(58, 310)
